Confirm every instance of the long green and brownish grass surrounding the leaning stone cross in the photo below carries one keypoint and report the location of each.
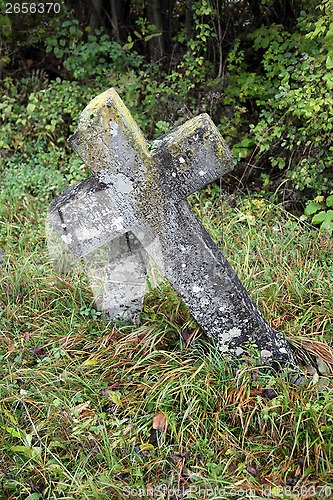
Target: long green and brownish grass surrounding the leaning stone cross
(78, 395)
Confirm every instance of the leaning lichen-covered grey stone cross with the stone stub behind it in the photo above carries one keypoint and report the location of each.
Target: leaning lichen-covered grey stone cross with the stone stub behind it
(136, 203)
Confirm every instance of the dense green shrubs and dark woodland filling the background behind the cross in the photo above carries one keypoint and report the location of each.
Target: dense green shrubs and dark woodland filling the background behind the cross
(262, 70)
